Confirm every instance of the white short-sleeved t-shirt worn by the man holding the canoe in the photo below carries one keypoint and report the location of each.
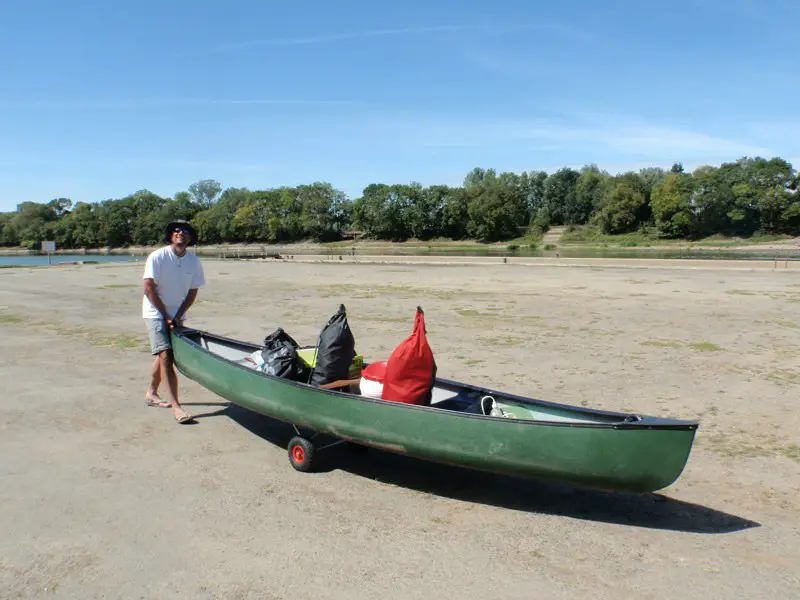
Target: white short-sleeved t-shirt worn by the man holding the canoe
(174, 276)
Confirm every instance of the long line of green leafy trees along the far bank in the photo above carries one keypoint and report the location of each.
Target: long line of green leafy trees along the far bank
(741, 198)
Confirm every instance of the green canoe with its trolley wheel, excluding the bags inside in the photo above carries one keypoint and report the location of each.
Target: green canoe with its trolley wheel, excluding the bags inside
(465, 425)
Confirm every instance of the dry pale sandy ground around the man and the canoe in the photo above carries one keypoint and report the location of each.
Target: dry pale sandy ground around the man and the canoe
(104, 498)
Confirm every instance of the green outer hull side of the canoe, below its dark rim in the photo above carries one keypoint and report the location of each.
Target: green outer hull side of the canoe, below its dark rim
(621, 457)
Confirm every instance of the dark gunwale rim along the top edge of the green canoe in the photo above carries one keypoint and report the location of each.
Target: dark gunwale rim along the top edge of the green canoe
(643, 422)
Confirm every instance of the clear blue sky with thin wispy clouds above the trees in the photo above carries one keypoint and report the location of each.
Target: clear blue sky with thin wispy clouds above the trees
(100, 99)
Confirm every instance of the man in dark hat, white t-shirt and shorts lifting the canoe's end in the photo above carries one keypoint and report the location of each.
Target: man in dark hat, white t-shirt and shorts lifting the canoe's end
(172, 277)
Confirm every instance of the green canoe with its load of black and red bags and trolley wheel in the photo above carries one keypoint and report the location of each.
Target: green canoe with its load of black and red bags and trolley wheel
(400, 405)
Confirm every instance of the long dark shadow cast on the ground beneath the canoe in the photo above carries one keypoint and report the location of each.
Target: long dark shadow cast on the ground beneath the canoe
(653, 511)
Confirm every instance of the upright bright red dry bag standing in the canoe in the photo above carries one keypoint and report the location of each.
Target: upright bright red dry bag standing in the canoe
(411, 368)
